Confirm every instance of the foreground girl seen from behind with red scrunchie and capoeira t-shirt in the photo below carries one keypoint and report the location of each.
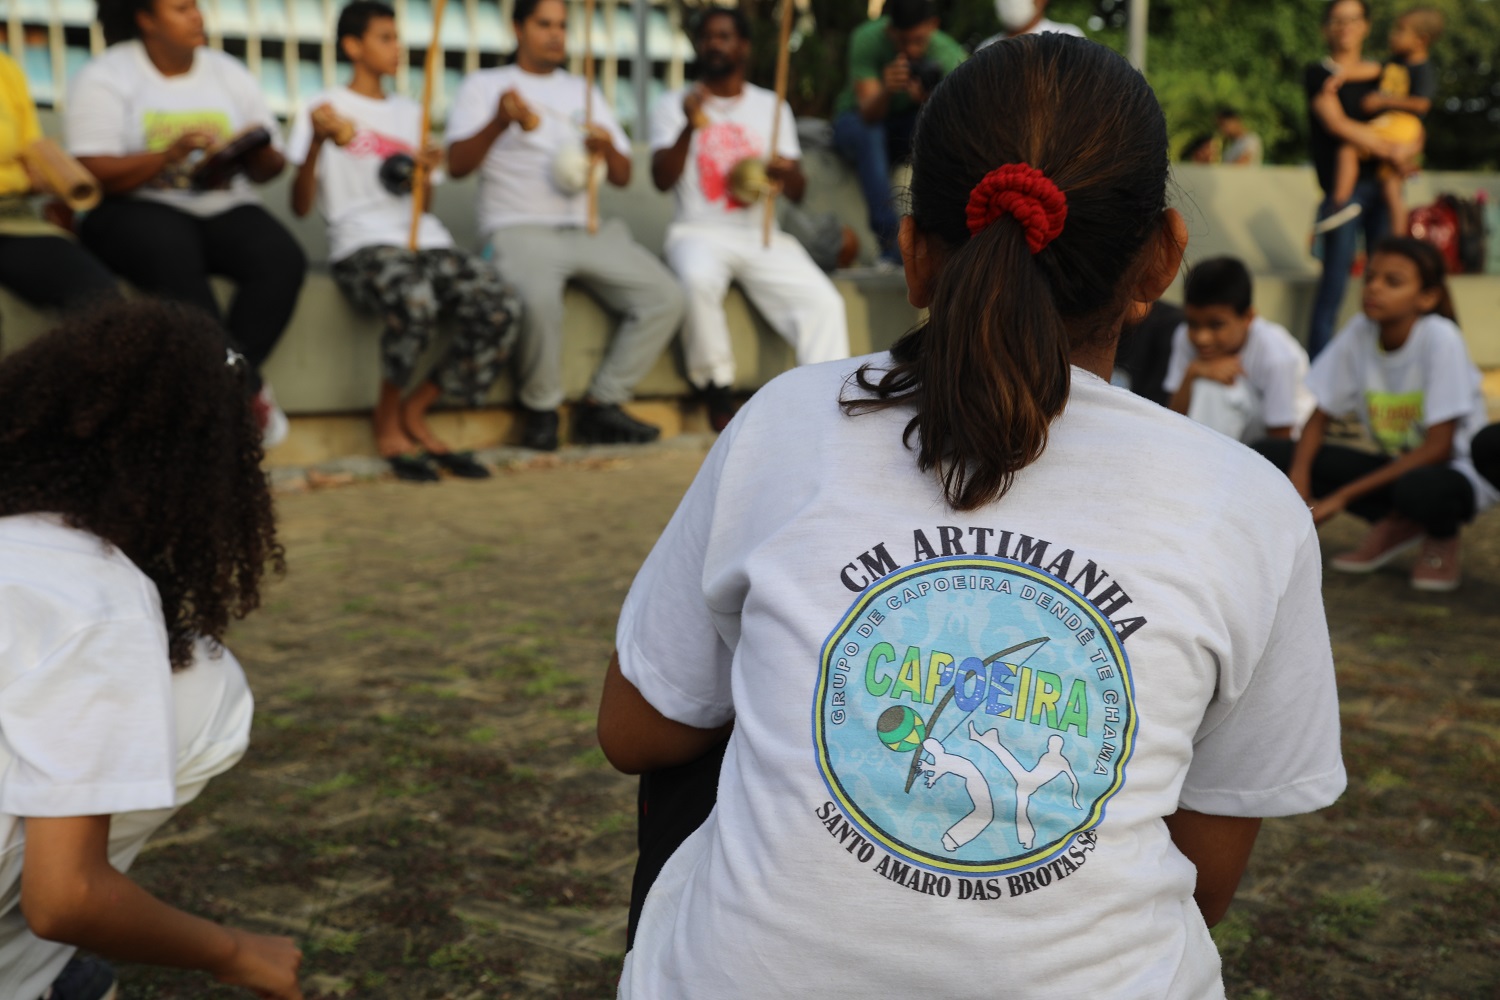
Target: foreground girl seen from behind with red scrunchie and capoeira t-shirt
(1010, 663)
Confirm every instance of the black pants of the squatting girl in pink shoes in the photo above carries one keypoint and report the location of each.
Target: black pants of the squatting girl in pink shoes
(1438, 497)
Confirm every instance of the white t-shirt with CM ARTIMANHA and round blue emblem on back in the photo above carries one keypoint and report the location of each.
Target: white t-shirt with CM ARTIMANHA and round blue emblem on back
(1160, 638)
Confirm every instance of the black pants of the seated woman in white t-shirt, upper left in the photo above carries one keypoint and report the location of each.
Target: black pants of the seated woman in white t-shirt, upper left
(172, 254)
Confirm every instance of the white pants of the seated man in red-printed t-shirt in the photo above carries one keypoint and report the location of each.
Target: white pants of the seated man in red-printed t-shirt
(782, 283)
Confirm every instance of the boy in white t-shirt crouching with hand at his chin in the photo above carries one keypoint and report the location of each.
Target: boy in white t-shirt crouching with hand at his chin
(1231, 368)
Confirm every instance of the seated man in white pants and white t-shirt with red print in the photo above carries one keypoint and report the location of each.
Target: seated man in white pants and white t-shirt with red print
(701, 140)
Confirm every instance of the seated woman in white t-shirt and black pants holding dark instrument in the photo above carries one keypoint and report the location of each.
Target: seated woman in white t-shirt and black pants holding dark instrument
(142, 119)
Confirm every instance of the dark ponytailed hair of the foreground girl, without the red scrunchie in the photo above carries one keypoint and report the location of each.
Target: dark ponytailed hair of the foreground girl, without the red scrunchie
(989, 370)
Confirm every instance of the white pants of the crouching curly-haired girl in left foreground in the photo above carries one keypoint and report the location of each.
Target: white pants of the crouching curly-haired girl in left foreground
(214, 710)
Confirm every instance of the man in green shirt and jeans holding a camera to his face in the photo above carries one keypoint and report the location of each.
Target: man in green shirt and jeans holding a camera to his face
(893, 65)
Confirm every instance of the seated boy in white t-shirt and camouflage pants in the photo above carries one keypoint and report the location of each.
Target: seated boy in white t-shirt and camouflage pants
(364, 178)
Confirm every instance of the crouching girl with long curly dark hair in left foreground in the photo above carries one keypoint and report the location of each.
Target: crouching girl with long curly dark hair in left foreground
(136, 524)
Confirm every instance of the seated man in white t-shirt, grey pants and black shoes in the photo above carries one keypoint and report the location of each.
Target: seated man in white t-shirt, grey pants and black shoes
(523, 128)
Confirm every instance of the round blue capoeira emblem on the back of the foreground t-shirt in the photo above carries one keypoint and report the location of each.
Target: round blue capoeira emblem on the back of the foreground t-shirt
(974, 716)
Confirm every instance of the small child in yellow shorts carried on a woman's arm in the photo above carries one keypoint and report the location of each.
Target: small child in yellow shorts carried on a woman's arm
(1408, 86)
